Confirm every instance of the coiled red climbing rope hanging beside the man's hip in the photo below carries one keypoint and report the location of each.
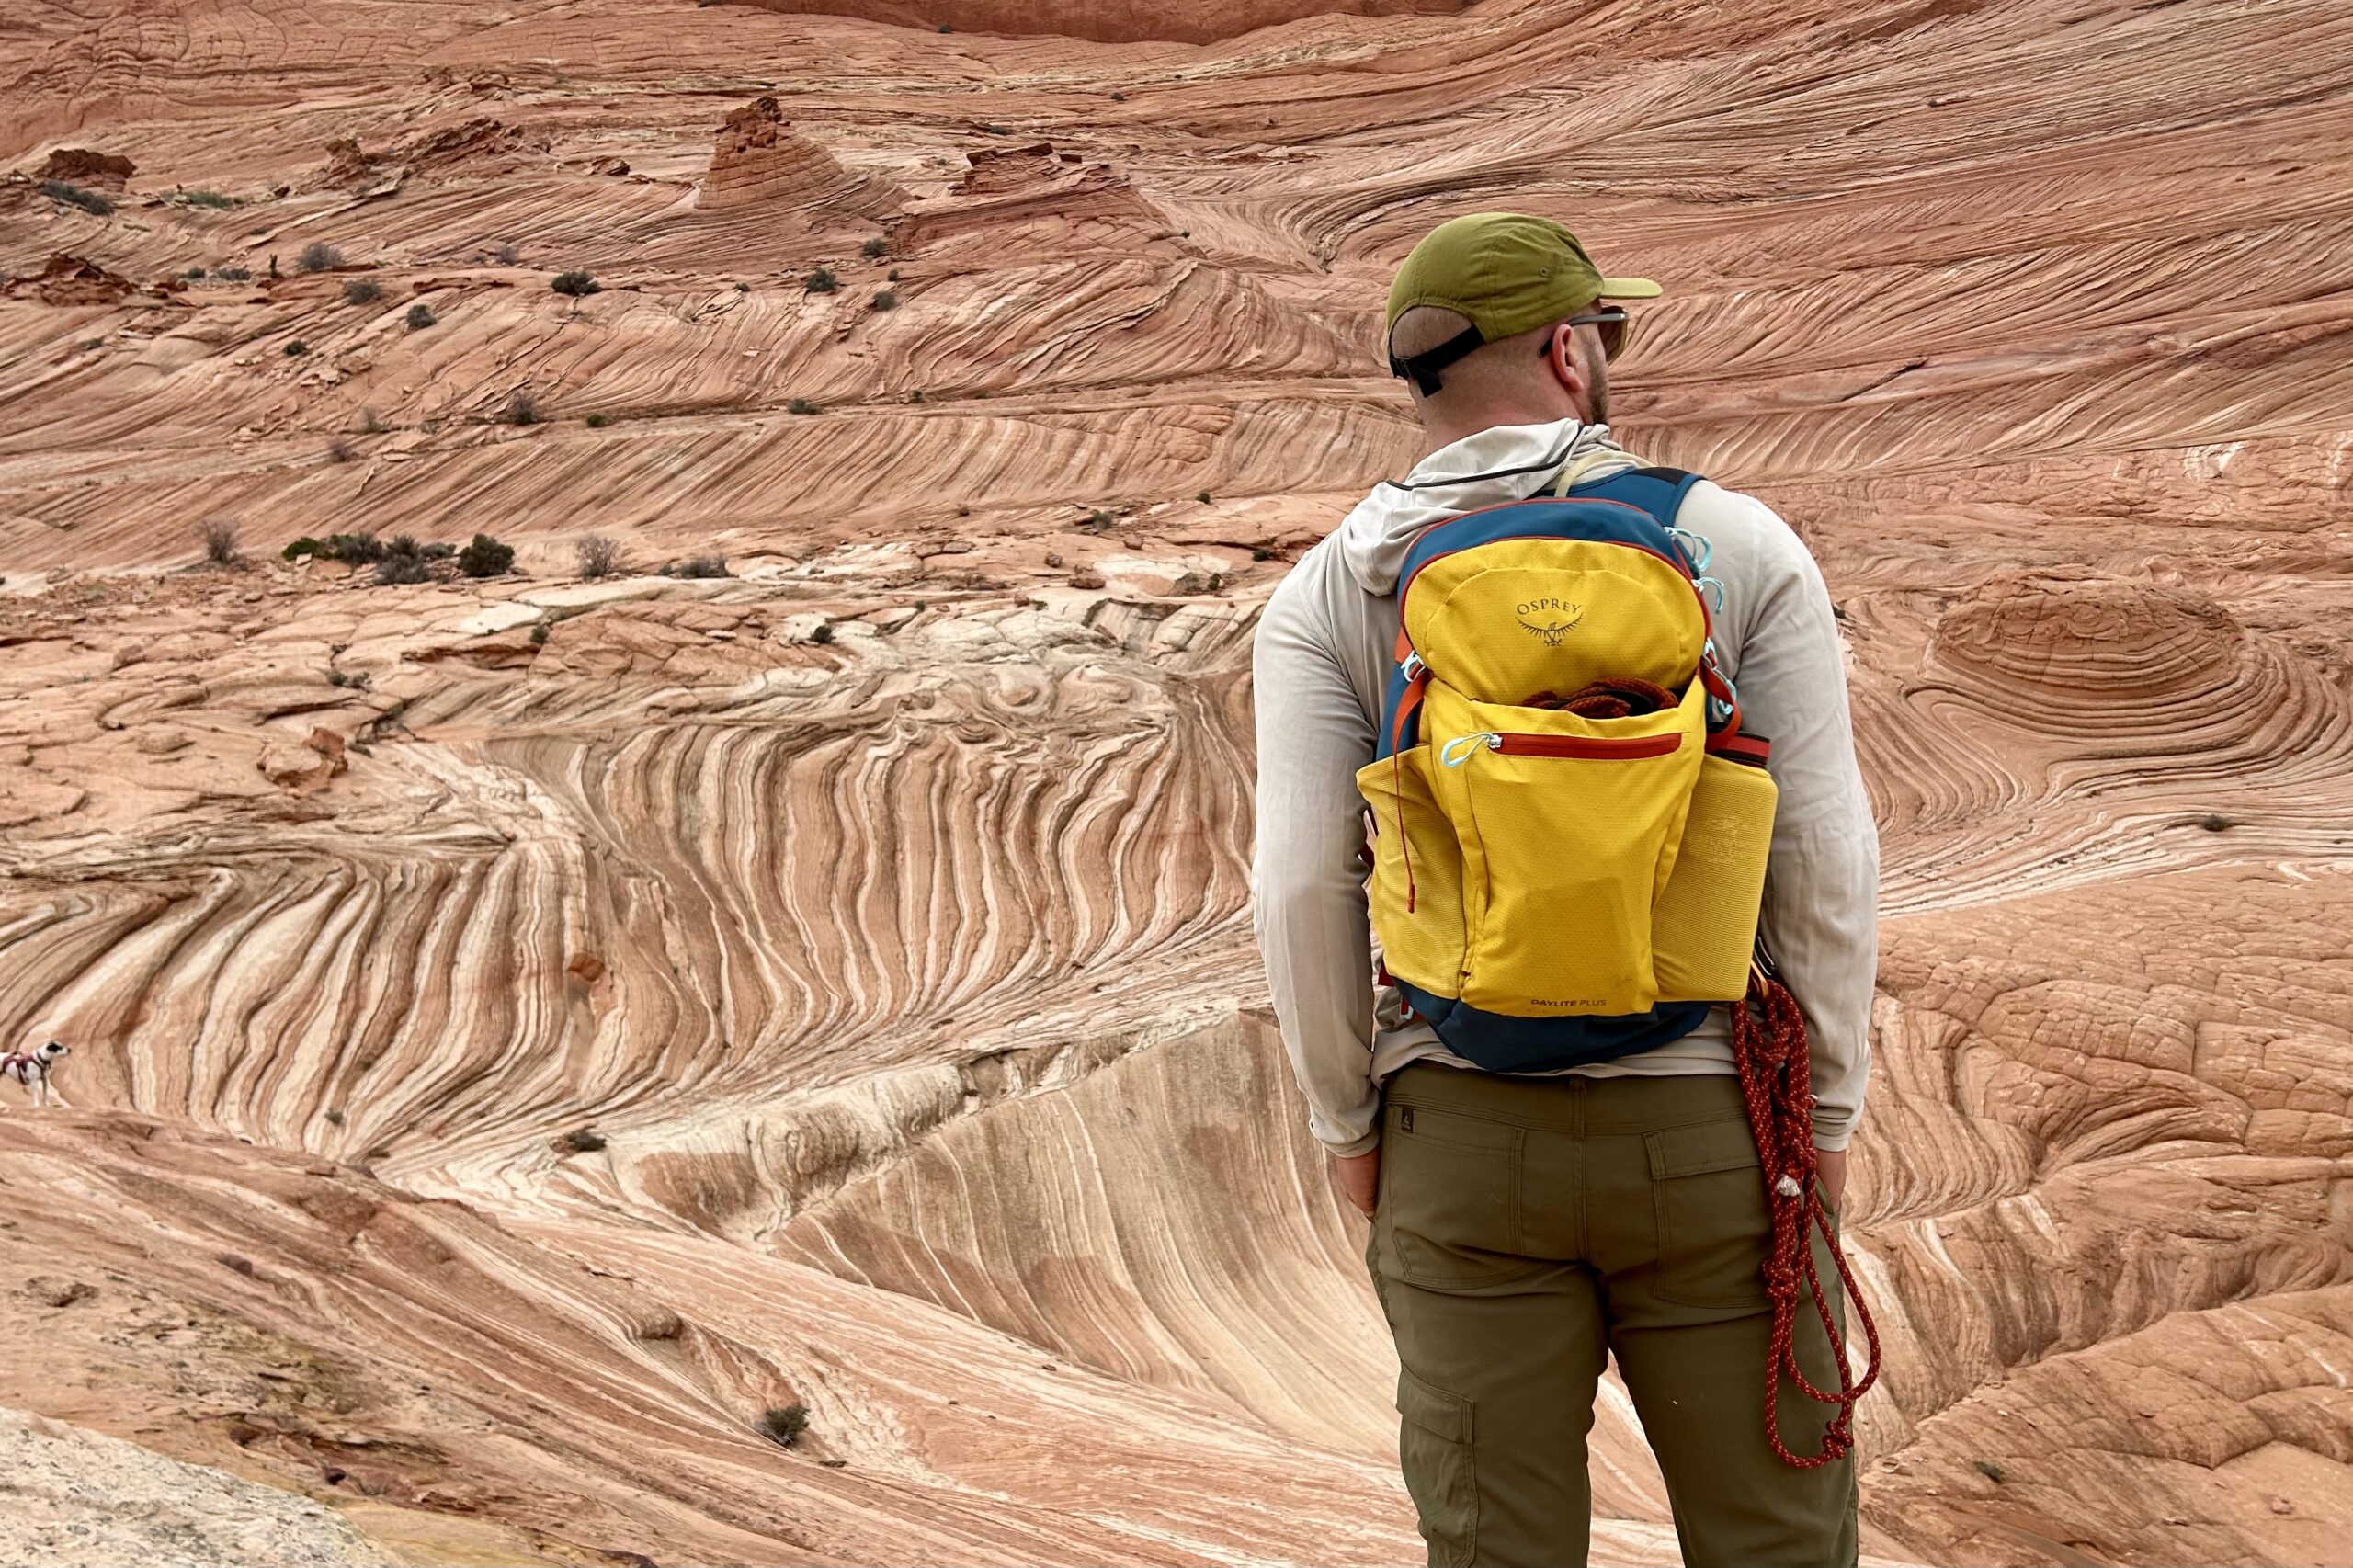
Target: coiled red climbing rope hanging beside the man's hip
(1768, 1044)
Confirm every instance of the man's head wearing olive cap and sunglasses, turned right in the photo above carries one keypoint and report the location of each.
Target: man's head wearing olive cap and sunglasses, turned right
(1502, 319)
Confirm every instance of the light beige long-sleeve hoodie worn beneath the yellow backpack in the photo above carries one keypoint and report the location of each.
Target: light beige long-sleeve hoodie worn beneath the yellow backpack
(1321, 660)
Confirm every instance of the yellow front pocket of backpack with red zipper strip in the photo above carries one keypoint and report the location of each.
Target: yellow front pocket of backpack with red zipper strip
(1575, 828)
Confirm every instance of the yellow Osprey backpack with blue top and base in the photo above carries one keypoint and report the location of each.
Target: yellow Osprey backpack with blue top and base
(1568, 823)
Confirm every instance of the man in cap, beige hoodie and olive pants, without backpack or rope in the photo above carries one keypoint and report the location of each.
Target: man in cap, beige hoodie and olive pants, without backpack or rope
(1526, 1228)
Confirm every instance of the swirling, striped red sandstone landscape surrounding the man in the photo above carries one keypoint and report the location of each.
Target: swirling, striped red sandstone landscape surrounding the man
(531, 1030)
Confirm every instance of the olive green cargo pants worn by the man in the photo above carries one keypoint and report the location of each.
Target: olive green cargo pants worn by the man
(1528, 1230)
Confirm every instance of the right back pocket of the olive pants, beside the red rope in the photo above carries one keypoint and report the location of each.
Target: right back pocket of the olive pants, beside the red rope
(1714, 1225)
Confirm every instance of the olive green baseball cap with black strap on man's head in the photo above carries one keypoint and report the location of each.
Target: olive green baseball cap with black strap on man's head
(1509, 274)
